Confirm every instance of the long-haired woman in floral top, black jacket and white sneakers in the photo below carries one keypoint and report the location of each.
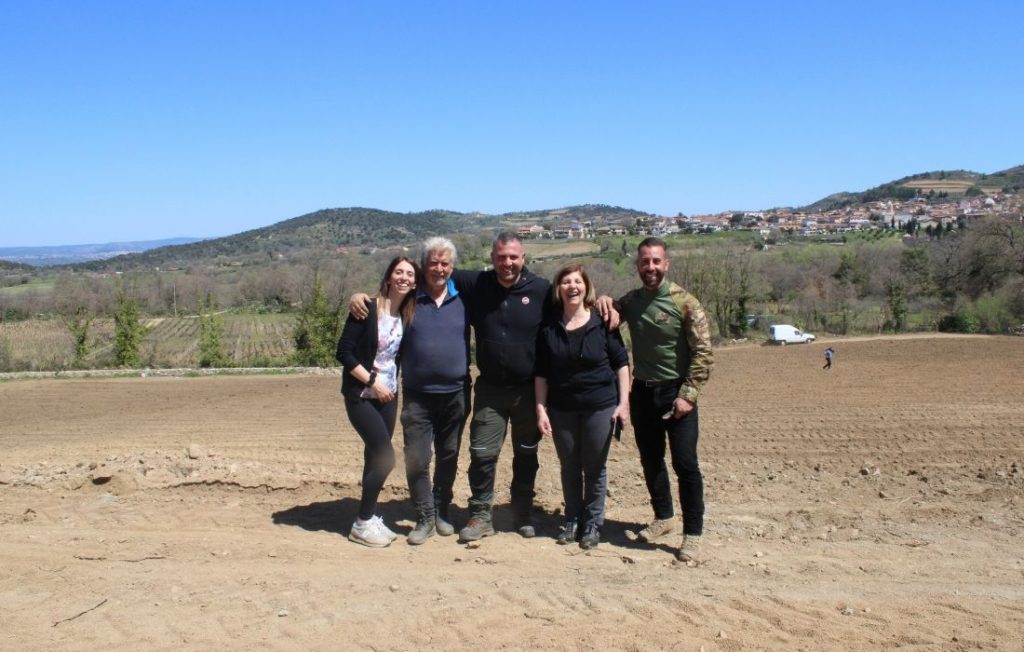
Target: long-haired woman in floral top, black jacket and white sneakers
(370, 353)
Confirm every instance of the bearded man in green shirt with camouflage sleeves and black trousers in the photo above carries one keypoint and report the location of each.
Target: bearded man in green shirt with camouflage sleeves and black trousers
(672, 358)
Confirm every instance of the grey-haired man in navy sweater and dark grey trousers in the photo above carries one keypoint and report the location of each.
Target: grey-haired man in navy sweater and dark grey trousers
(436, 389)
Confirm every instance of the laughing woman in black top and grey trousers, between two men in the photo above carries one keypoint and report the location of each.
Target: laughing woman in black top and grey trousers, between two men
(583, 400)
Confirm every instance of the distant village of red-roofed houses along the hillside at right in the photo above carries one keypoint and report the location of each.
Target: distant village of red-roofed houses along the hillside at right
(926, 214)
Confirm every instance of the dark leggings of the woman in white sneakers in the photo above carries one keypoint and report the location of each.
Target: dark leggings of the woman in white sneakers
(374, 422)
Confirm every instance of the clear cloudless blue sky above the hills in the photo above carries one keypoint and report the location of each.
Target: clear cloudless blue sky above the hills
(143, 120)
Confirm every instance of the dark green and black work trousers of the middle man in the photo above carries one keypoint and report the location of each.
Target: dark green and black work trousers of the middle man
(494, 410)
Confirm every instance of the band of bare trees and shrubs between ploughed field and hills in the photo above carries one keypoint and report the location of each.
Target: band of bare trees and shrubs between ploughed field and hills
(966, 279)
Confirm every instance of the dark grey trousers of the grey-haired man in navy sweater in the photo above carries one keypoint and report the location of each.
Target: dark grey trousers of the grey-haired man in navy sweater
(433, 420)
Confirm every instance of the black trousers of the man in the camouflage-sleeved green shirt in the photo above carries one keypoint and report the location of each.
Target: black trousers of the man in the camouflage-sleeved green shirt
(648, 405)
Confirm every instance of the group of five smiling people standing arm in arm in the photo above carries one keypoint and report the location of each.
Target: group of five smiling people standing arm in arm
(551, 363)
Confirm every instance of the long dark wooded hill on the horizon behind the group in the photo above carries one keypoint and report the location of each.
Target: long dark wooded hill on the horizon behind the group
(331, 229)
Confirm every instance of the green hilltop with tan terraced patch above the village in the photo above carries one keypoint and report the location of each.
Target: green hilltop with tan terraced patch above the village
(938, 185)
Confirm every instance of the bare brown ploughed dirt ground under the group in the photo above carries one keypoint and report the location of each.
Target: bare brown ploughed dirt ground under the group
(879, 505)
